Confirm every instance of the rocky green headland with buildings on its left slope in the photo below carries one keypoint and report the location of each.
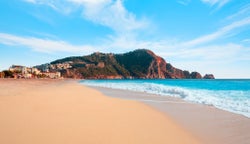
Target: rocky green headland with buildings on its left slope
(138, 64)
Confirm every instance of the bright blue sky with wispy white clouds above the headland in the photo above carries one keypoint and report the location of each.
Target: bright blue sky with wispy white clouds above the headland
(208, 36)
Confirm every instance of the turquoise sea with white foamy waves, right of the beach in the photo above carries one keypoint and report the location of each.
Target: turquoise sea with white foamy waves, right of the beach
(232, 95)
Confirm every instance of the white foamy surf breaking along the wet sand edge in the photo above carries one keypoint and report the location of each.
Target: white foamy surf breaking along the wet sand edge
(230, 100)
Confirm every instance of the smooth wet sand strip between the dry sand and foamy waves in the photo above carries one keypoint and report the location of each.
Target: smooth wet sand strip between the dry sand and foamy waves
(210, 124)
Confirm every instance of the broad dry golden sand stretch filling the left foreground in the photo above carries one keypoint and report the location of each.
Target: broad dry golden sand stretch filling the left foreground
(63, 112)
